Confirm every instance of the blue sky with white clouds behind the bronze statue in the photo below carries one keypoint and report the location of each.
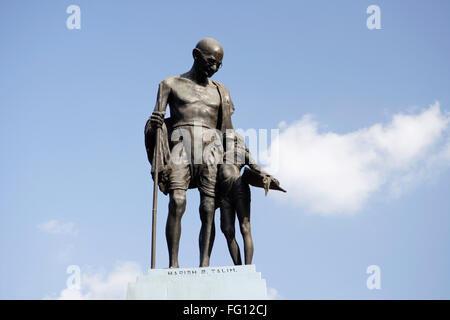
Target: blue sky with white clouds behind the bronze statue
(73, 104)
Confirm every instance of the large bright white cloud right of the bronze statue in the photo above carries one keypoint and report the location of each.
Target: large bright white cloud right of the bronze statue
(333, 173)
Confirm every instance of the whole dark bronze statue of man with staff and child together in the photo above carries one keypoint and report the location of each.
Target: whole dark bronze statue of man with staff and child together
(187, 150)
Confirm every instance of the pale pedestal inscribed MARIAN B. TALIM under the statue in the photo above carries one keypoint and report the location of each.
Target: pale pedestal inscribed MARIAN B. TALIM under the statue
(210, 283)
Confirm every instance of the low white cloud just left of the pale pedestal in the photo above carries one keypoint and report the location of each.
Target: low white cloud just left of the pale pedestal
(101, 285)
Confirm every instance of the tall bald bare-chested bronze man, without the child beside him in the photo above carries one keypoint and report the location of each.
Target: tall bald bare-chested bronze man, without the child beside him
(196, 103)
